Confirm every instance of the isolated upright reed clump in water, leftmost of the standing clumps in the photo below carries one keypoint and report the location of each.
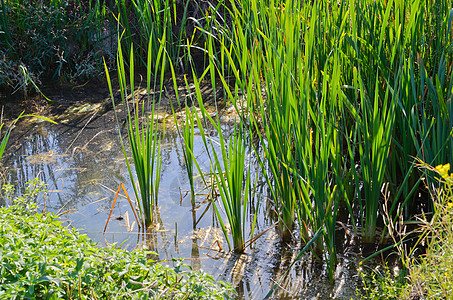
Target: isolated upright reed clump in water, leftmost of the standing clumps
(143, 135)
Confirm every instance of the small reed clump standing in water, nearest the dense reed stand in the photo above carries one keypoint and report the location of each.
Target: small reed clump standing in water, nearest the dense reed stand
(231, 174)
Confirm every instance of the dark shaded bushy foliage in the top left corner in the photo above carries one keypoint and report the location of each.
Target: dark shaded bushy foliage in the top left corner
(59, 40)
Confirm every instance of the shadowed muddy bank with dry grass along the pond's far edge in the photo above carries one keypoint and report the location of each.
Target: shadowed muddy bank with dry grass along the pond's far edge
(63, 101)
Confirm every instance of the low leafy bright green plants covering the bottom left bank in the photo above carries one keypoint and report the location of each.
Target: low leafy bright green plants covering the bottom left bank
(41, 259)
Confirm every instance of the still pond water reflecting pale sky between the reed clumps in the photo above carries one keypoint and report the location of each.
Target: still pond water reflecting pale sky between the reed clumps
(81, 161)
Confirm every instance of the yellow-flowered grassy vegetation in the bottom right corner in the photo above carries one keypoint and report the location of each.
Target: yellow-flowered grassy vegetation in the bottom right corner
(429, 276)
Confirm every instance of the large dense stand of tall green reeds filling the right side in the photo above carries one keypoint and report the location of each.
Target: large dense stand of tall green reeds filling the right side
(330, 89)
